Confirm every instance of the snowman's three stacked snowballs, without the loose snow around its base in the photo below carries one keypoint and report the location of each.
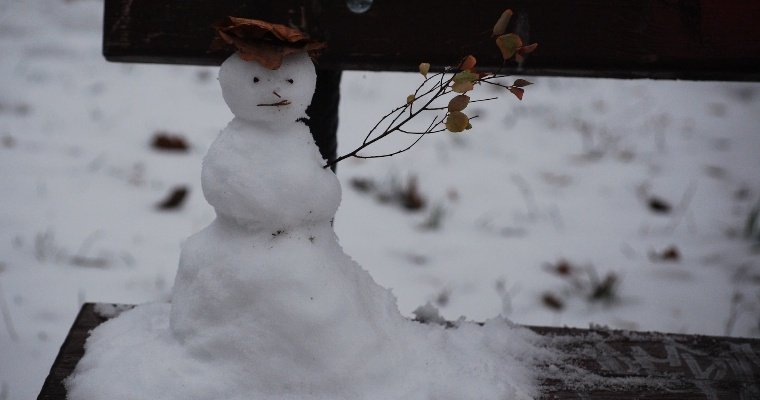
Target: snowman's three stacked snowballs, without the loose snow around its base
(269, 267)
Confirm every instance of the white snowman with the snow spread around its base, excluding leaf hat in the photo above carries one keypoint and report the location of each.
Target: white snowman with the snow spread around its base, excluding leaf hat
(266, 305)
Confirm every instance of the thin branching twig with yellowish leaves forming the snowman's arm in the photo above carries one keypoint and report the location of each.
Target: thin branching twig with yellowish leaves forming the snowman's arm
(427, 98)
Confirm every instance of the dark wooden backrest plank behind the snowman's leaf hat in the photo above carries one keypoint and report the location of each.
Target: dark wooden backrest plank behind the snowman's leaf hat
(670, 39)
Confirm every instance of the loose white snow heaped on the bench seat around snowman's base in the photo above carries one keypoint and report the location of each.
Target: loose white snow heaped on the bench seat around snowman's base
(163, 369)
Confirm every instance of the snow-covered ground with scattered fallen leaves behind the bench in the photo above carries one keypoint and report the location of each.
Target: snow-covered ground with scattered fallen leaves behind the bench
(546, 212)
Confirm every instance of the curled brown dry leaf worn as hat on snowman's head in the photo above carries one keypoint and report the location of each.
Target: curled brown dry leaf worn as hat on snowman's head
(263, 42)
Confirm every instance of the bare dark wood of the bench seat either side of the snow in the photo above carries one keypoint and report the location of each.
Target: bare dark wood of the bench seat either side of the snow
(614, 364)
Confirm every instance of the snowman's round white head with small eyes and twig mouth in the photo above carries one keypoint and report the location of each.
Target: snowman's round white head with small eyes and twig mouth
(270, 97)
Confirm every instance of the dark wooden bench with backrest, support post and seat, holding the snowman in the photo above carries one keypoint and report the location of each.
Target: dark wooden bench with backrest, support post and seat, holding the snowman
(660, 39)
